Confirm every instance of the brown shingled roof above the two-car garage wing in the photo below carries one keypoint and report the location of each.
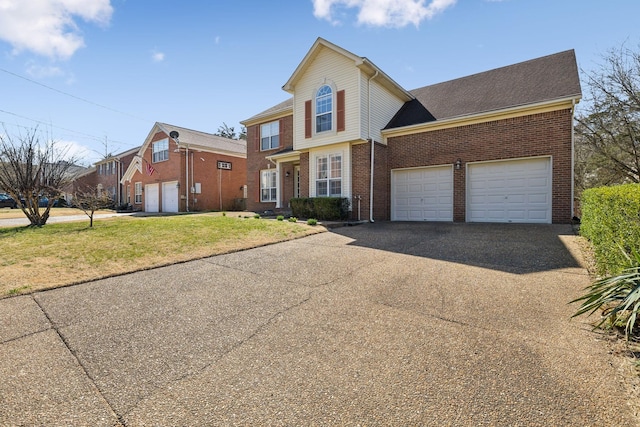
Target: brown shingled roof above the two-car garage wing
(549, 78)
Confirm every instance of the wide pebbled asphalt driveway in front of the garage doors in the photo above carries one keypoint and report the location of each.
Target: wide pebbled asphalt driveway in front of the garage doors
(379, 324)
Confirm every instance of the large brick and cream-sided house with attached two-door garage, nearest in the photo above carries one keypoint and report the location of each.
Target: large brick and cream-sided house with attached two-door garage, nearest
(491, 147)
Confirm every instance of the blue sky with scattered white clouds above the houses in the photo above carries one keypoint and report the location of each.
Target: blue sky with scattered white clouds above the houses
(96, 75)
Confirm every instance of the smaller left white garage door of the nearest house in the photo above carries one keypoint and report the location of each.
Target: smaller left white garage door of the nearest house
(422, 194)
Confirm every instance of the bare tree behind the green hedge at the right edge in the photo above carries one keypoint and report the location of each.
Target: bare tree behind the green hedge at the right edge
(608, 129)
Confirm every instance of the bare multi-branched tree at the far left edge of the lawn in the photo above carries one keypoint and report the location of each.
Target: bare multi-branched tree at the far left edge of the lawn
(32, 171)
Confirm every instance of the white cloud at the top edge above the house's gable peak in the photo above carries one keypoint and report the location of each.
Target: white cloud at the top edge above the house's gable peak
(384, 13)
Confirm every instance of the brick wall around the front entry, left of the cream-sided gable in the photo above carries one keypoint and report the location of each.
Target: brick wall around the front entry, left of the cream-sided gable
(257, 161)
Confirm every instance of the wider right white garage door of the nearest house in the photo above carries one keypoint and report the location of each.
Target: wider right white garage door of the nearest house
(510, 191)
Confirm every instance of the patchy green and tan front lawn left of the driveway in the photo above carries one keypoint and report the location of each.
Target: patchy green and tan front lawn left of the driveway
(65, 253)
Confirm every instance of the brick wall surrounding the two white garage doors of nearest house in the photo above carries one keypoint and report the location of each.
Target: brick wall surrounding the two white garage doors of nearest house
(528, 136)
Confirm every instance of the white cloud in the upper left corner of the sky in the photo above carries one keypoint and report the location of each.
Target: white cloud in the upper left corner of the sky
(48, 27)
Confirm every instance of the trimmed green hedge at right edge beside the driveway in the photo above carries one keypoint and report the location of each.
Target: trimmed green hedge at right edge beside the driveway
(611, 221)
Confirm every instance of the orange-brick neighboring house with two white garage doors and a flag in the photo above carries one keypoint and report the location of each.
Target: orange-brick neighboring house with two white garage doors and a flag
(182, 170)
